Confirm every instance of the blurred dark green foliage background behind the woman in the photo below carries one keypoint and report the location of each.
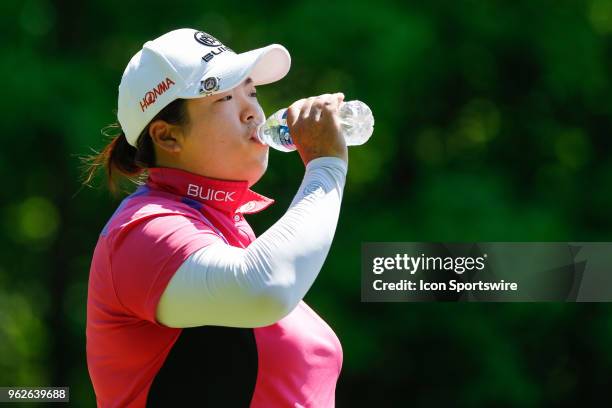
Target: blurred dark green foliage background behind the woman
(493, 123)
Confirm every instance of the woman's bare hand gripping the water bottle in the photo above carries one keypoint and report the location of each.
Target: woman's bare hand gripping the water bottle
(315, 127)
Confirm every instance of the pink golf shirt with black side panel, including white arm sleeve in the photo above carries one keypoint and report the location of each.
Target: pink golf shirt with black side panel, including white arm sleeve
(182, 294)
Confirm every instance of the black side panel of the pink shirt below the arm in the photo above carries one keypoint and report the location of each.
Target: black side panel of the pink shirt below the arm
(208, 366)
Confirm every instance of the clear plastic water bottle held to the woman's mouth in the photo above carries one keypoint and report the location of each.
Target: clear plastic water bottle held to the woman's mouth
(356, 122)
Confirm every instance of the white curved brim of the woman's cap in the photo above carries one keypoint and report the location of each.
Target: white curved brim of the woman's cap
(264, 65)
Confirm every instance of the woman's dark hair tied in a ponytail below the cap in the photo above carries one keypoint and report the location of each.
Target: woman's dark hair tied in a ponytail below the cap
(118, 156)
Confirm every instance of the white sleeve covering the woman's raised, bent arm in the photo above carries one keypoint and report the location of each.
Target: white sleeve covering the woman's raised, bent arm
(256, 286)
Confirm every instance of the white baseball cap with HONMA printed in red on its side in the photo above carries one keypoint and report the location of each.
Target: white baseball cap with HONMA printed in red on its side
(188, 63)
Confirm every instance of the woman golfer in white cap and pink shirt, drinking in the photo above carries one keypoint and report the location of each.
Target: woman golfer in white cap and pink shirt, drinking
(185, 306)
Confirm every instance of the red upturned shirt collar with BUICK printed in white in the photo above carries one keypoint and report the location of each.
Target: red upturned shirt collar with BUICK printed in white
(225, 195)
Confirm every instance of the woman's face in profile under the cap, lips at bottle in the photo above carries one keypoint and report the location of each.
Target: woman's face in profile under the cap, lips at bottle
(220, 140)
